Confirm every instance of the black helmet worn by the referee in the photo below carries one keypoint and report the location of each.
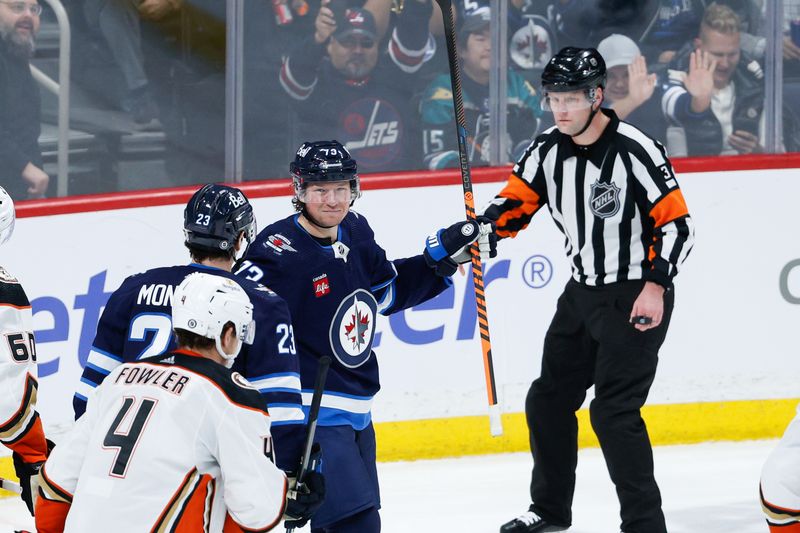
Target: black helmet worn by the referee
(574, 69)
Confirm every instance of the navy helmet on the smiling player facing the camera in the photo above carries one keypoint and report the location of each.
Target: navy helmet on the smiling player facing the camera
(324, 161)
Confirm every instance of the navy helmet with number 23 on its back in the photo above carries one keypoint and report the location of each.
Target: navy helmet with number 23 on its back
(215, 217)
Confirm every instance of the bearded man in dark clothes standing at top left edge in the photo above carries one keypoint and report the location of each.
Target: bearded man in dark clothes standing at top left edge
(22, 171)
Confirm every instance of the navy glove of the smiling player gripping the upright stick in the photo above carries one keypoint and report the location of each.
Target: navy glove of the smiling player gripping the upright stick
(450, 247)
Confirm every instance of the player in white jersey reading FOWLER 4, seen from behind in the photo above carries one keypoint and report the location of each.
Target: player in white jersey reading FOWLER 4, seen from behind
(176, 442)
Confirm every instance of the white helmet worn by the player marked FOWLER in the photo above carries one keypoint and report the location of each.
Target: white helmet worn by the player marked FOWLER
(204, 303)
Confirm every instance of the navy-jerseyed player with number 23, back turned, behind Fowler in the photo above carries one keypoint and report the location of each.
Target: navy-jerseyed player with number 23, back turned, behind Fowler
(136, 323)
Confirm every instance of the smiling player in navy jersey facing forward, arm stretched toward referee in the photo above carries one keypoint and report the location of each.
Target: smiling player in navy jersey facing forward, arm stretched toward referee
(325, 262)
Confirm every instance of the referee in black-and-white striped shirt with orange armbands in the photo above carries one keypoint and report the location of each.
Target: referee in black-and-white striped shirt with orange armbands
(612, 192)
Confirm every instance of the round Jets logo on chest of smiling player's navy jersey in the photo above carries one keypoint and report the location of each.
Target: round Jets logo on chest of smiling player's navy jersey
(353, 328)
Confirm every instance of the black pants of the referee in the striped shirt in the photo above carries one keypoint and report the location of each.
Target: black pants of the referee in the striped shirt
(591, 342)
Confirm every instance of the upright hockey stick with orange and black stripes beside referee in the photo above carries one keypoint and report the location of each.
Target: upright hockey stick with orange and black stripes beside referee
(495, 423)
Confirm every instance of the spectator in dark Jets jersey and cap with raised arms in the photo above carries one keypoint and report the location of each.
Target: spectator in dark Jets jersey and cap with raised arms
(344, 86)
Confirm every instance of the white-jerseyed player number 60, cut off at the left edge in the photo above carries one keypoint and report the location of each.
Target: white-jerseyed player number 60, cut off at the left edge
(20, 425)
